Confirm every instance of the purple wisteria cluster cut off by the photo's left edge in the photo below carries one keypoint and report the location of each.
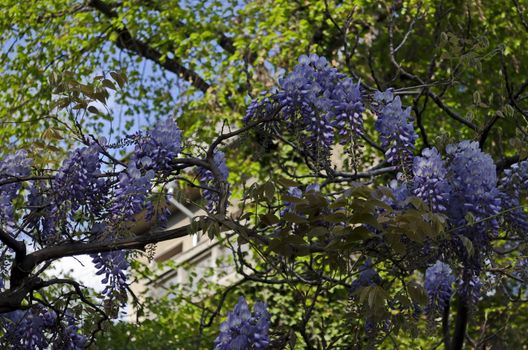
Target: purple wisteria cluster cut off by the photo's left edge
(11, 167)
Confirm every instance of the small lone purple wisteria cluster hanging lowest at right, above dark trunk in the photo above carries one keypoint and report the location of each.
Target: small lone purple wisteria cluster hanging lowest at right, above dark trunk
(438, 285)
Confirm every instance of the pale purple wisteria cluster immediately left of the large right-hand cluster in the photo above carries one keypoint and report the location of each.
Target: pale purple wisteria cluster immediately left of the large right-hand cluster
(430, 180)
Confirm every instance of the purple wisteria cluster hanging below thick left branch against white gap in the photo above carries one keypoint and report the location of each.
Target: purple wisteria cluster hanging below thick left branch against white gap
(113, 266)
